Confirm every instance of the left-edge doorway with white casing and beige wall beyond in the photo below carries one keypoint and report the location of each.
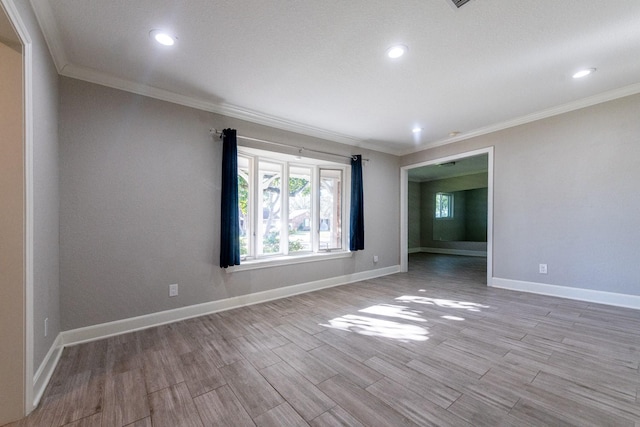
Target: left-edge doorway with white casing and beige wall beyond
(16, 226)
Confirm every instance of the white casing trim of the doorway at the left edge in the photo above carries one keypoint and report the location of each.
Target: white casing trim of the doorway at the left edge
(21, 29)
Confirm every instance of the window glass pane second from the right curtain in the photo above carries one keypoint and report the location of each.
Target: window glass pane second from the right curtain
(299, 209)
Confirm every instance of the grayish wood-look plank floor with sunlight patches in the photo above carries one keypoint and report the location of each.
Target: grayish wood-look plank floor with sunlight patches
(434, 346)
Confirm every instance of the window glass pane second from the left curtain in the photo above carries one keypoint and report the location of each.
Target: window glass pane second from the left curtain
(271, 186)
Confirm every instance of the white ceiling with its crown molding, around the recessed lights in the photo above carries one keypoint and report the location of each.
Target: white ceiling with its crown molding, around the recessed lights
(319, 67)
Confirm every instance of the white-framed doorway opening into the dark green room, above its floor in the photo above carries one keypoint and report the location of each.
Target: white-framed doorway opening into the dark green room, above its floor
(447, 207)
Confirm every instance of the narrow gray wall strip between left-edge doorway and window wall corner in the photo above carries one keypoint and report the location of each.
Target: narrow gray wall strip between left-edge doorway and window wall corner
(46, 198)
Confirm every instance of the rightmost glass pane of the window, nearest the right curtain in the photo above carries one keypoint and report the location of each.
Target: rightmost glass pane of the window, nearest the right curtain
(330, 209)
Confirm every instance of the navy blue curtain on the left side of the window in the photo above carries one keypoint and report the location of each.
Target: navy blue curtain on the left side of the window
(230, 214)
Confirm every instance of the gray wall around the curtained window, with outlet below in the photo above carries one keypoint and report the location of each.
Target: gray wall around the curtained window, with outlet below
(140, 197)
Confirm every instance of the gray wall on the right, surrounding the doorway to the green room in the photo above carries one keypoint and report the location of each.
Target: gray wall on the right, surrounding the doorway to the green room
(565, 194)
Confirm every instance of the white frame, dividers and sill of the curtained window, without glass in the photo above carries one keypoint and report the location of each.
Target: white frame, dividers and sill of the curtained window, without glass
(256, 259)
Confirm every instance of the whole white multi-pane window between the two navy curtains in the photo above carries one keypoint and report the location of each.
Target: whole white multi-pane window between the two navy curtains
(289, 206)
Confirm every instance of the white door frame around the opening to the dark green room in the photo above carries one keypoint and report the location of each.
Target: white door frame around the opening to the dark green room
(404, 205)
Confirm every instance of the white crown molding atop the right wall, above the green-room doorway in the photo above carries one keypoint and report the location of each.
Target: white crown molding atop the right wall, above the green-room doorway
(550, 112)
